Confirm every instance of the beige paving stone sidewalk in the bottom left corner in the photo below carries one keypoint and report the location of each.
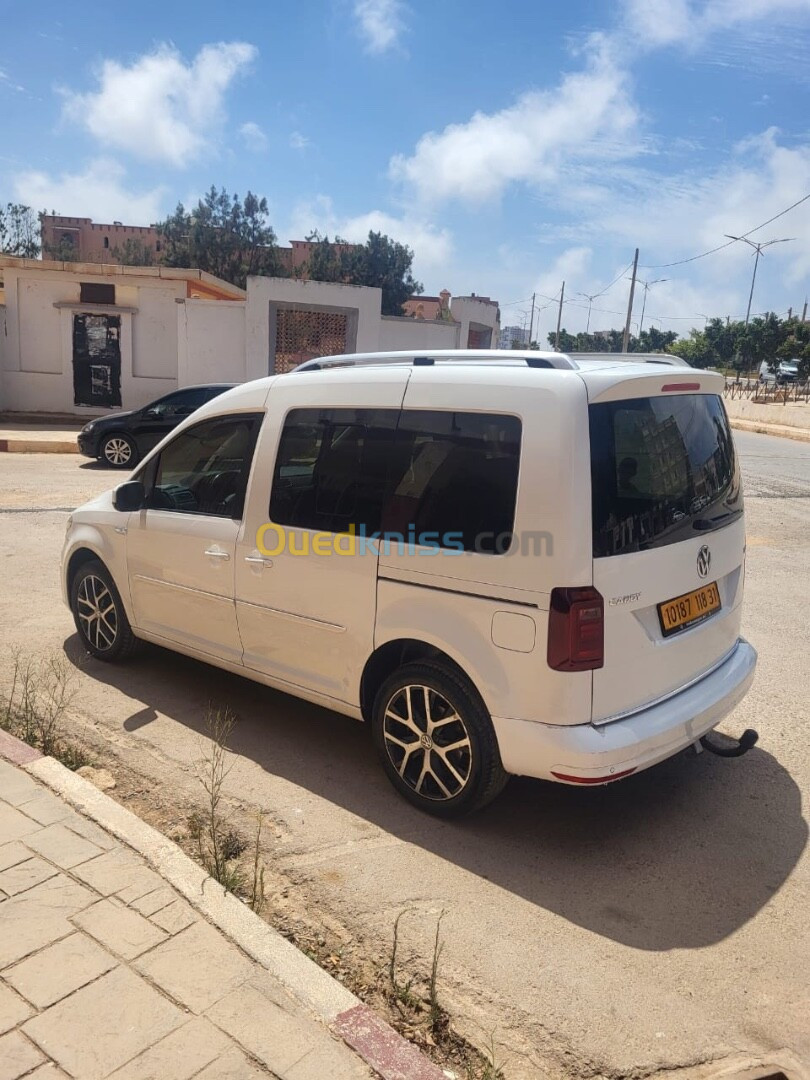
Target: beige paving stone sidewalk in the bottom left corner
(106, 971)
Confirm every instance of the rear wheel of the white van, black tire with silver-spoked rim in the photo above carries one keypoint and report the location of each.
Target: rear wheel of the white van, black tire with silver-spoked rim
(425, 773)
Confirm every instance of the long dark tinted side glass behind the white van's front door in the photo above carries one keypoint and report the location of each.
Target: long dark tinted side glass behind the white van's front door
(434, 478)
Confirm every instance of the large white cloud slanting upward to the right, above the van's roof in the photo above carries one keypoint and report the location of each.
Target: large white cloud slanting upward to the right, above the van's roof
(590, 116)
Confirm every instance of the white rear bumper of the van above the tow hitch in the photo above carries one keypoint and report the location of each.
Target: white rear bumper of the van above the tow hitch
(588, 754)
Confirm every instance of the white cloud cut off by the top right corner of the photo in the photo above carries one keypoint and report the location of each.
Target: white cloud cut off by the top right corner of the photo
(690, 22)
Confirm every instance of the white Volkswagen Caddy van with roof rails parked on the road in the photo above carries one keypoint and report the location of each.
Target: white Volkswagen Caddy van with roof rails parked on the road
(504, 563)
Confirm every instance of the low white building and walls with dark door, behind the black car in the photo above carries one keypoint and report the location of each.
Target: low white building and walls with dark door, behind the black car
(84, 339)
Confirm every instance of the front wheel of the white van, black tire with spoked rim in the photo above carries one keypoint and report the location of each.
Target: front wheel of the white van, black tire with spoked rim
(105, 633)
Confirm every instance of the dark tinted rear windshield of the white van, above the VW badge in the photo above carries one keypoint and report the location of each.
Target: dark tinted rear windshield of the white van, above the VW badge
(663, 469)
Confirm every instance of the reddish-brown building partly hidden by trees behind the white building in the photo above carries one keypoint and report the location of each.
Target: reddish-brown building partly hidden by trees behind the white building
(84, 240)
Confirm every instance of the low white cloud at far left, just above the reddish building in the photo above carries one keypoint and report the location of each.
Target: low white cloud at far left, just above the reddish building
(100, 193)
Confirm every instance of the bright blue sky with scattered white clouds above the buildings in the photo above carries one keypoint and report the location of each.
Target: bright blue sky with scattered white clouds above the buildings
(512, 147)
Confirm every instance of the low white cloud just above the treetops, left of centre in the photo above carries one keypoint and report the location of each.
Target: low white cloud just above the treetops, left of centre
(433, 246)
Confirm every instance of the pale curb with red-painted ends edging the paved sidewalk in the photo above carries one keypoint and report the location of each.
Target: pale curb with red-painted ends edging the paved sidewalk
(375, 1042)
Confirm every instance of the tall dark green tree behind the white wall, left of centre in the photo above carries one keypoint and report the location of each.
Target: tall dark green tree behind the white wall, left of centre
(223, 236)
